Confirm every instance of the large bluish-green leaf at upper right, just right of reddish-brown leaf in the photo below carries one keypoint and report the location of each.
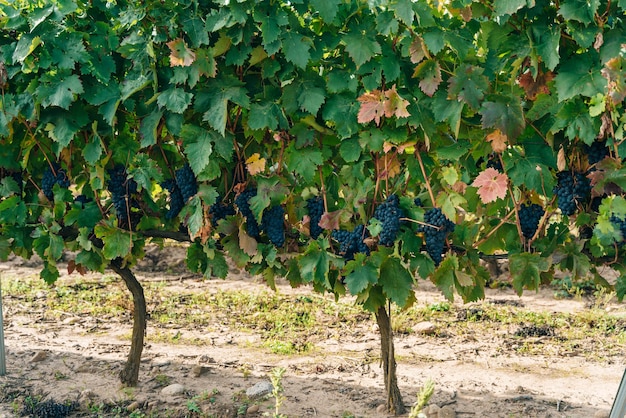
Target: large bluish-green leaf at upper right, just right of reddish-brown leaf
(579, 76)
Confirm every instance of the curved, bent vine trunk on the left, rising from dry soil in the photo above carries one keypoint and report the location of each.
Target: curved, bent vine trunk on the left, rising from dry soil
(130, 373)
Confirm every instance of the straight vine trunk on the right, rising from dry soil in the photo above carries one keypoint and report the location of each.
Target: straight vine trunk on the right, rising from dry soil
(395, 405)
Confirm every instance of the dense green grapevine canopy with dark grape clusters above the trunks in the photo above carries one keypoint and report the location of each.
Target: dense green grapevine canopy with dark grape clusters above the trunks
(349, 100)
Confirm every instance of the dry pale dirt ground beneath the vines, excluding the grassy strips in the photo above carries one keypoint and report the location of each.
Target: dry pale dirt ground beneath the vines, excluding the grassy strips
(473, 375)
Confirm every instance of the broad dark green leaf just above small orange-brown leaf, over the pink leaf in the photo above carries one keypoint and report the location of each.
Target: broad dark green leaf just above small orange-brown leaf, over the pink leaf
(504, 113)
